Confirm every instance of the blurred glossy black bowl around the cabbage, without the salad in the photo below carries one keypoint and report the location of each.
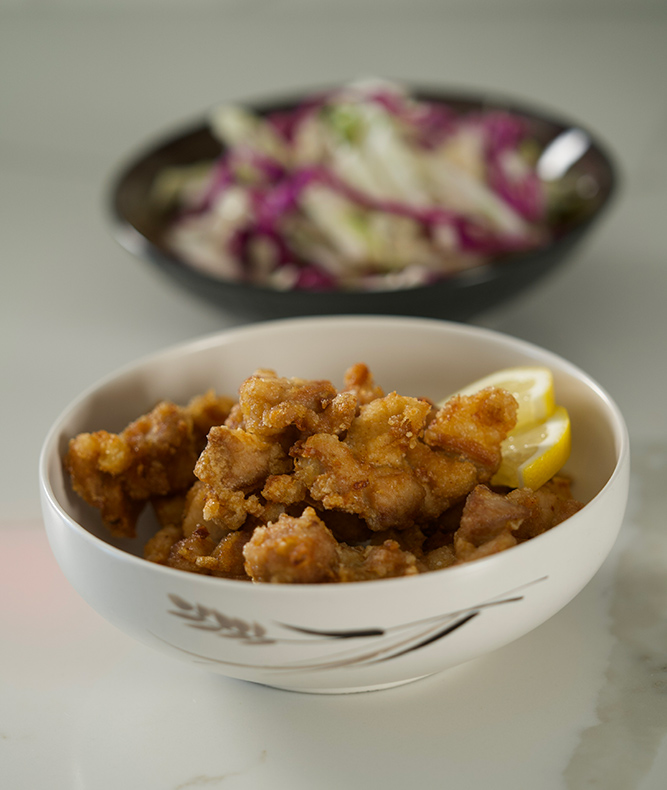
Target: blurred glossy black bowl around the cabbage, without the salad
(140, 227)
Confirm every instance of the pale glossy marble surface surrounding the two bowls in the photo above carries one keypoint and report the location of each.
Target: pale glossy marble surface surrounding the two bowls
(579, 703)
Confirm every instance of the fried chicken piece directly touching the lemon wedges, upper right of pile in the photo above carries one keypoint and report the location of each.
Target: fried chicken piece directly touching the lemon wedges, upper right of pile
(473, 427)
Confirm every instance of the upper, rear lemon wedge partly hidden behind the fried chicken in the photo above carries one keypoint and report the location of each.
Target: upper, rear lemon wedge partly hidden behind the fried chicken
(532, 386)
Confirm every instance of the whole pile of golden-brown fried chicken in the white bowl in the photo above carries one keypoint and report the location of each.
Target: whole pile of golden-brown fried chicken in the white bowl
(299, 482)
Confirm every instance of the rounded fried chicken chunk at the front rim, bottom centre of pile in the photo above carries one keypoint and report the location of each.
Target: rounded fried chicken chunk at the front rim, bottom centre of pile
(292, 550)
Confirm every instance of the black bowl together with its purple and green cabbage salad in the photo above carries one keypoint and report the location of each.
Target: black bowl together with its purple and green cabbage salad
(367, 198)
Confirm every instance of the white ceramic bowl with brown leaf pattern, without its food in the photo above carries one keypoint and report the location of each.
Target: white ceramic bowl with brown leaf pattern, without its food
(345, 637)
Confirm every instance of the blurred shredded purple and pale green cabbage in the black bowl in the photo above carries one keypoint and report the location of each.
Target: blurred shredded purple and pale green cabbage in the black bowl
(362, 187)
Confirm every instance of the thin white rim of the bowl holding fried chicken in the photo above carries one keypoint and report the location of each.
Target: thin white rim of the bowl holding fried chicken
(227, 336)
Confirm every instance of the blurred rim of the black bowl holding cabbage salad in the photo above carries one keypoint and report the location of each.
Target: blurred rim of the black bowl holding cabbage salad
(134, 241)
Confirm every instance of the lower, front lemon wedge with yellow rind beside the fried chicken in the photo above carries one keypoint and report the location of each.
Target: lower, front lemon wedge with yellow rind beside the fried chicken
(533, 455)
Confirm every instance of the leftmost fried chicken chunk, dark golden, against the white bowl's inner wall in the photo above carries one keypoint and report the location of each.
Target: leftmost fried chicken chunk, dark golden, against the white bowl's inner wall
(154, 456)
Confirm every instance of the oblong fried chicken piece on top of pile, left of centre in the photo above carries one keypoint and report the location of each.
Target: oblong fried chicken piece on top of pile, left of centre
(270, 405)
